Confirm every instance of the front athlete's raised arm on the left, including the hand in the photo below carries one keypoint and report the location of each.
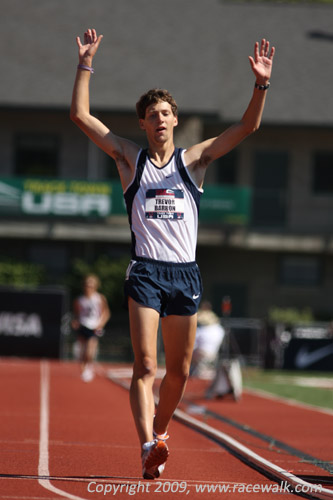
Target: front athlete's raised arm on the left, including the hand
(123, 151)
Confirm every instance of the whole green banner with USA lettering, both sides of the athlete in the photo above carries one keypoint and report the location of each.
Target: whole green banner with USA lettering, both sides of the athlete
(80, 198)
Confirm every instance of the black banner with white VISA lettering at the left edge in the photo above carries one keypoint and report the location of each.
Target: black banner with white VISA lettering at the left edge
(31, 322)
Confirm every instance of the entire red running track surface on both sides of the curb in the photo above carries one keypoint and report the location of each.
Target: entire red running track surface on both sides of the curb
(92, 447)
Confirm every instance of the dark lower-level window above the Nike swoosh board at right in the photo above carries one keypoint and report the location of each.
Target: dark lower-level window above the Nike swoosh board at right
(301, 270)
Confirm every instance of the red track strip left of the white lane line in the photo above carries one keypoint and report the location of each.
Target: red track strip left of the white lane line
(19, 429)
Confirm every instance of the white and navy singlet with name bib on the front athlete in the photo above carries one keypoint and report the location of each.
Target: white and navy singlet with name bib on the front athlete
(163, 208)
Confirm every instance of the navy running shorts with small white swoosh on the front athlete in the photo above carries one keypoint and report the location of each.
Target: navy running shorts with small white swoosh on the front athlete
(169, 288)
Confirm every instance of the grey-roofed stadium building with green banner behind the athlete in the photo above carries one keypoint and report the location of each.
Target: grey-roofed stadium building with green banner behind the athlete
(266, 227)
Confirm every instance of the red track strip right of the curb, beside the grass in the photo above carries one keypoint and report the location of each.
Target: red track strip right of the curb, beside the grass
(303, 429)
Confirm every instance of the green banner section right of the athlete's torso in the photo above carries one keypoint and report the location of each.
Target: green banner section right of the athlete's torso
(225, 205)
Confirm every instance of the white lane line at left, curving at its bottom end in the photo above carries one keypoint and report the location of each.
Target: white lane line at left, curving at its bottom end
(44, 419)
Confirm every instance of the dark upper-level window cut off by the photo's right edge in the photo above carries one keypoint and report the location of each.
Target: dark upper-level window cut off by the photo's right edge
(323, 172)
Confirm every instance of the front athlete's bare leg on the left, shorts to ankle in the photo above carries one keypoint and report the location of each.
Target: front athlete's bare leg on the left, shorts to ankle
(143, 325)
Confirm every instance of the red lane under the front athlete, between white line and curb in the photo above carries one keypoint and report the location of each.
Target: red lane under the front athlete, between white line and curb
(111, 449)
